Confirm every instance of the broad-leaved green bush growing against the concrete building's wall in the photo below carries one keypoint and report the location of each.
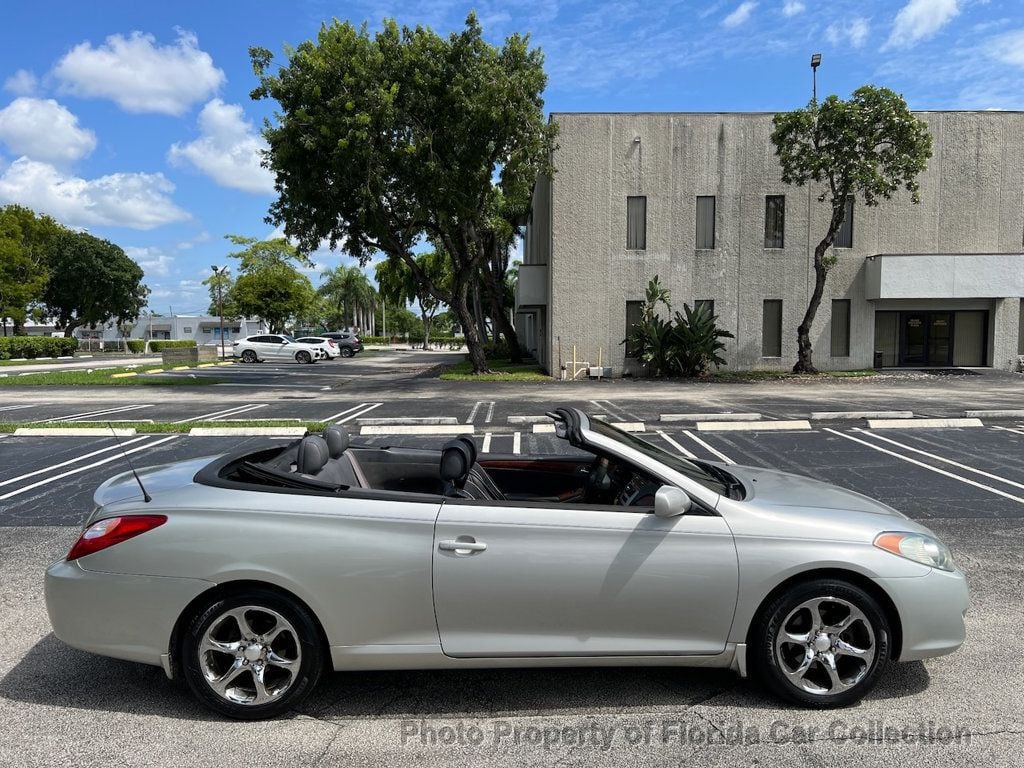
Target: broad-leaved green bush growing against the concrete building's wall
(689, 346)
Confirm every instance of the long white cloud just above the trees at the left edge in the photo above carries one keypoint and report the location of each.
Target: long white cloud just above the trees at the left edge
(140, 201)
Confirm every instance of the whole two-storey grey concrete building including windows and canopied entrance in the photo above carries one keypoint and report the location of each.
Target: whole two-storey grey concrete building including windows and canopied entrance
(698, 199)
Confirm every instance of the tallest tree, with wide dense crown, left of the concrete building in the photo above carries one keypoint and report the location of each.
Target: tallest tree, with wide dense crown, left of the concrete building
(385, 141)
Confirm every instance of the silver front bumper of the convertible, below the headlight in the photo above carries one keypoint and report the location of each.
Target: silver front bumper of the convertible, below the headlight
(931, 610)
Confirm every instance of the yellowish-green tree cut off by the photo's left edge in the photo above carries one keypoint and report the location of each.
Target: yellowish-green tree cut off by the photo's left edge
(25, 243)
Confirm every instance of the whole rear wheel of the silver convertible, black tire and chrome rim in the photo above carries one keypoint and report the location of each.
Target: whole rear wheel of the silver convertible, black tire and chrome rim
(231, 667)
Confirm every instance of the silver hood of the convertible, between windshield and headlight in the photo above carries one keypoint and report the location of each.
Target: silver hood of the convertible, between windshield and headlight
(770, 488)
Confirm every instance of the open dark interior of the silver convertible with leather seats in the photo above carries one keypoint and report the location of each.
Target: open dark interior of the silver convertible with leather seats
(328, 463)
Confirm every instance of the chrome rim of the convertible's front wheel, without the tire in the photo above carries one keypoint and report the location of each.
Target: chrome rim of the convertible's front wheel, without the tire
(826, 647)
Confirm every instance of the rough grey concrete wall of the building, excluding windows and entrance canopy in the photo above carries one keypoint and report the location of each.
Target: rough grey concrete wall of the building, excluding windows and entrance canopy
(972, 202)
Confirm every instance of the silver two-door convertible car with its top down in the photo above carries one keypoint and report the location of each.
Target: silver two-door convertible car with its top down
(251, 575)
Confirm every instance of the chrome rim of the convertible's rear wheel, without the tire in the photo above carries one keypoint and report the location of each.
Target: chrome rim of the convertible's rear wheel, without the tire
(250, 656)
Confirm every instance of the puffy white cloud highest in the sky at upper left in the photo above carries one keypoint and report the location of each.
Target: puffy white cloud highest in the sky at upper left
(140, 75)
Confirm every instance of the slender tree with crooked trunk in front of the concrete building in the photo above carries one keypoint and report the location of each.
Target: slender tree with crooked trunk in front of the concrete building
(868, 147)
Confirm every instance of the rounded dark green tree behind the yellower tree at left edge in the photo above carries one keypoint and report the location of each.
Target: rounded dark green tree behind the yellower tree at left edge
(92, 283)
